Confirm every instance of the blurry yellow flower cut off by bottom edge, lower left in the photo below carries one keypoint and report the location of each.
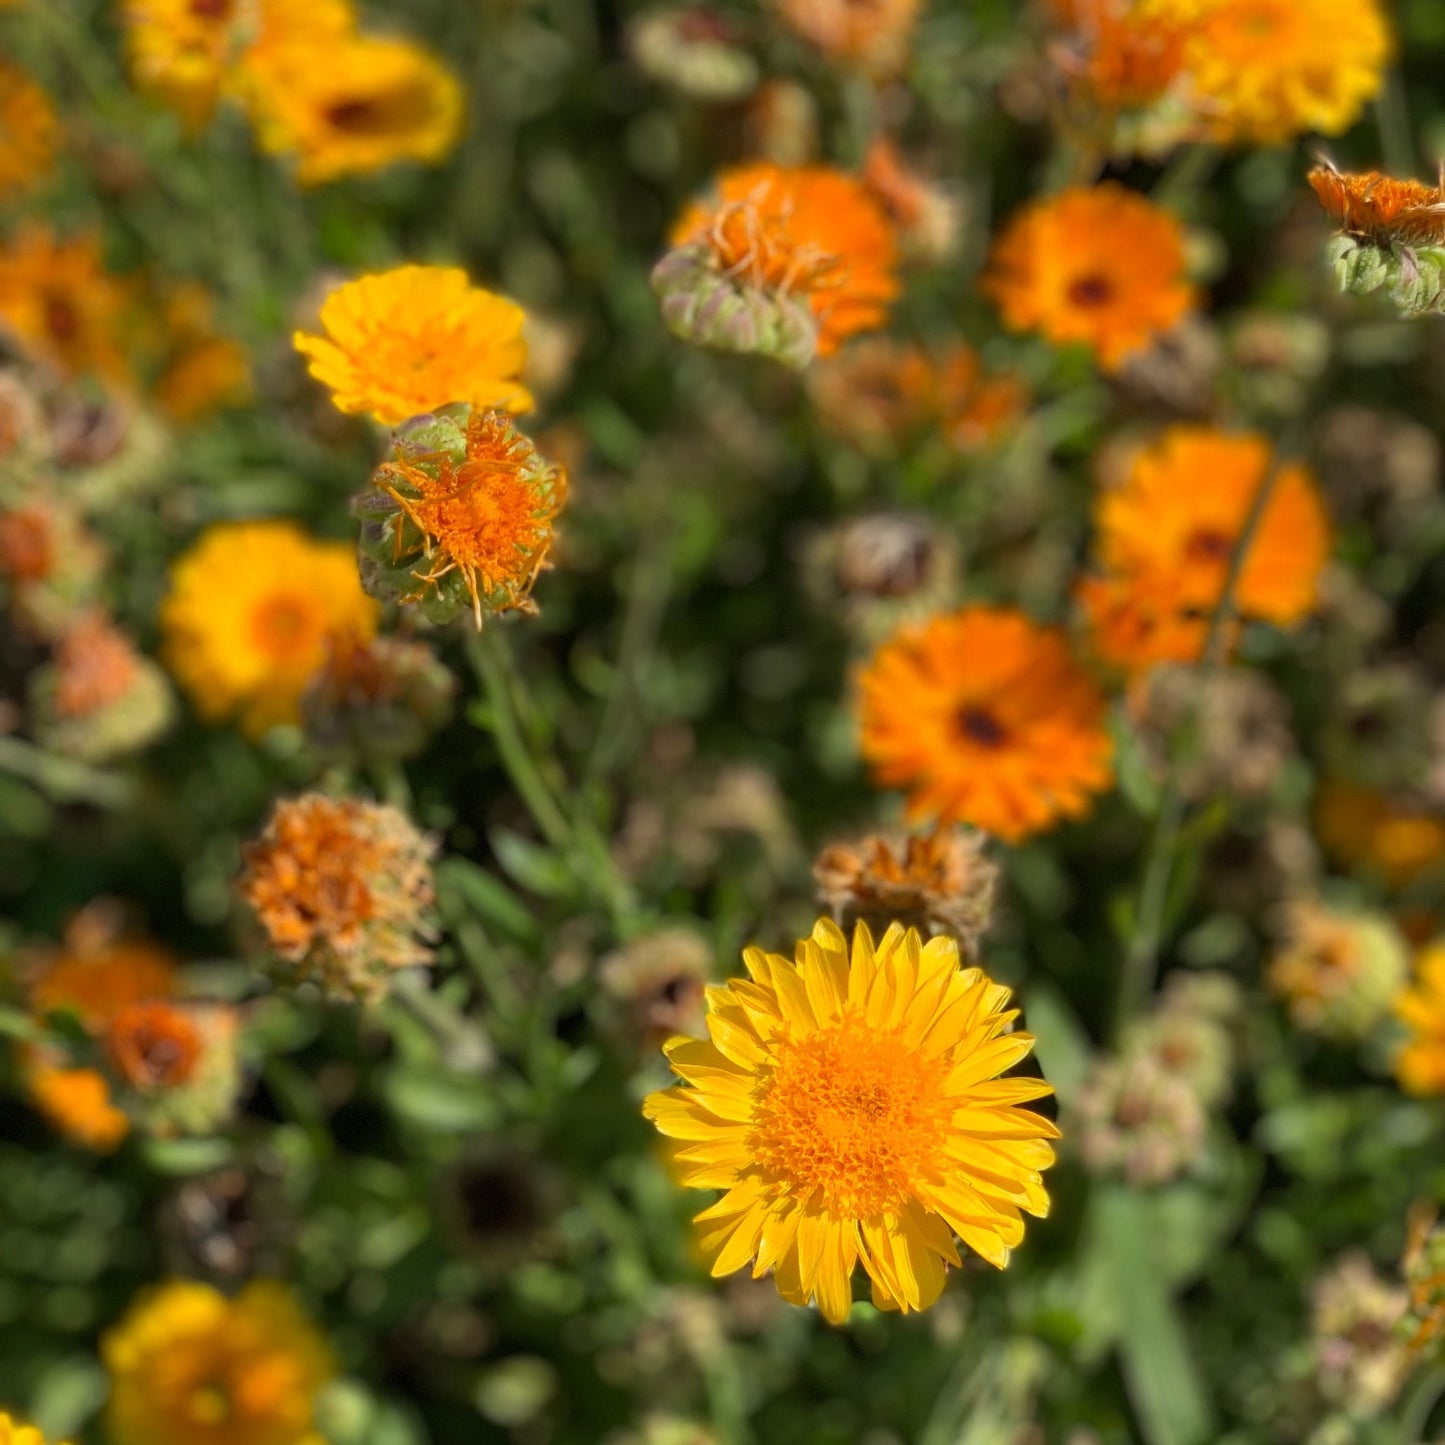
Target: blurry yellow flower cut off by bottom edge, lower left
(191, 1368)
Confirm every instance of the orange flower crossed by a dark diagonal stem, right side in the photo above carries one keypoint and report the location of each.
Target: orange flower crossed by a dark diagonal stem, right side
(1183, 509)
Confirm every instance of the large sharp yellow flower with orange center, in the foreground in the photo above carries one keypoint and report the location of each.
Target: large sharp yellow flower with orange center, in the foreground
(853, 1112)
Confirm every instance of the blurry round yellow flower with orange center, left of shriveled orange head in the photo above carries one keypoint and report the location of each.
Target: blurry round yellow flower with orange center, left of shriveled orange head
(251, 613)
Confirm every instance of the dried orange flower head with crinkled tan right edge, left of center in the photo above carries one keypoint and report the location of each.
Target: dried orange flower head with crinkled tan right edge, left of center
(342, 889)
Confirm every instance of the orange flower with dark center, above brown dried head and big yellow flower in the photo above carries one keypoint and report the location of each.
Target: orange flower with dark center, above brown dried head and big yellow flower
(988, 720)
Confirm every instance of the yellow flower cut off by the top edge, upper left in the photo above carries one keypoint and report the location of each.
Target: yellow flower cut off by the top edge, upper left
(180, 51)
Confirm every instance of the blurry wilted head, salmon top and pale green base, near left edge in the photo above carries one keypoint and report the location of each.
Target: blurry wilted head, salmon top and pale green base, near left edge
(99, 699)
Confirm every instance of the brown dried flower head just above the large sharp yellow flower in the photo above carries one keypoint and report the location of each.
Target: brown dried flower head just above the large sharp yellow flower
(939, 884)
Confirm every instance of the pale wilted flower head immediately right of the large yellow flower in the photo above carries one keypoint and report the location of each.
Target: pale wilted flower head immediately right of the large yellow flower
(1136, 1118)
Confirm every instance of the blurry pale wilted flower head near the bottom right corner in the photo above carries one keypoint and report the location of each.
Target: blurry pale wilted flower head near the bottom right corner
(1356, 1317)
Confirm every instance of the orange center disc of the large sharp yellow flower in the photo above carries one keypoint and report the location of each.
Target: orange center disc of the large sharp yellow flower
(852, 1119)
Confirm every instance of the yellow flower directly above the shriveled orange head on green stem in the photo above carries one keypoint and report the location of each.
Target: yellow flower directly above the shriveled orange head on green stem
(415, 339)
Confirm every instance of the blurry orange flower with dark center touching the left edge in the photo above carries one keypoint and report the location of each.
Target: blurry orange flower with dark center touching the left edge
(63, 306)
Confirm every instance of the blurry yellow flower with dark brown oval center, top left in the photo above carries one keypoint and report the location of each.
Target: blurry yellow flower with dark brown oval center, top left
(363, 105)
